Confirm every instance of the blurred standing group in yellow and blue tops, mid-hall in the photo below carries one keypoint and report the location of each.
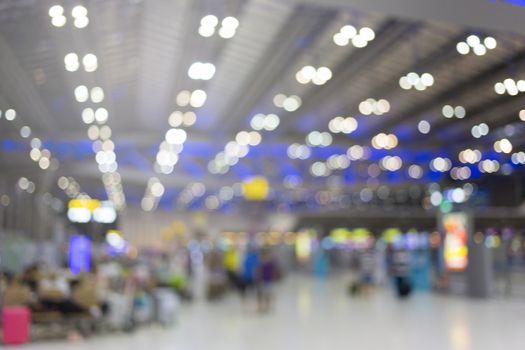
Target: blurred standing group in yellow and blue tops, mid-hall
(254, 271)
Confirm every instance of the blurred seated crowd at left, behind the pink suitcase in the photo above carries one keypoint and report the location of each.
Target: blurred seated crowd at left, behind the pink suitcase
(111, 296)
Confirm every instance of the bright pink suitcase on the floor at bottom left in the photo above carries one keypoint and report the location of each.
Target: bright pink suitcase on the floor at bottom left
(16, 325)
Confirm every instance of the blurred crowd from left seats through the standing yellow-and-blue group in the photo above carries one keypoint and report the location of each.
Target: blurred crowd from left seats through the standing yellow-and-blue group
(121, 294)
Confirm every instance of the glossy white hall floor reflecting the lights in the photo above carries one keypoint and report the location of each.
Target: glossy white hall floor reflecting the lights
(312, 314)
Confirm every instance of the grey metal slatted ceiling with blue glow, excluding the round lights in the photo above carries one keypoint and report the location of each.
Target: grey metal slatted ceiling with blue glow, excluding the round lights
(144, 49)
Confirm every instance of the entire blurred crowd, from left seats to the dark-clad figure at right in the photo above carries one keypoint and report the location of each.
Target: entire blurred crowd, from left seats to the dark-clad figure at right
(123, 293)
